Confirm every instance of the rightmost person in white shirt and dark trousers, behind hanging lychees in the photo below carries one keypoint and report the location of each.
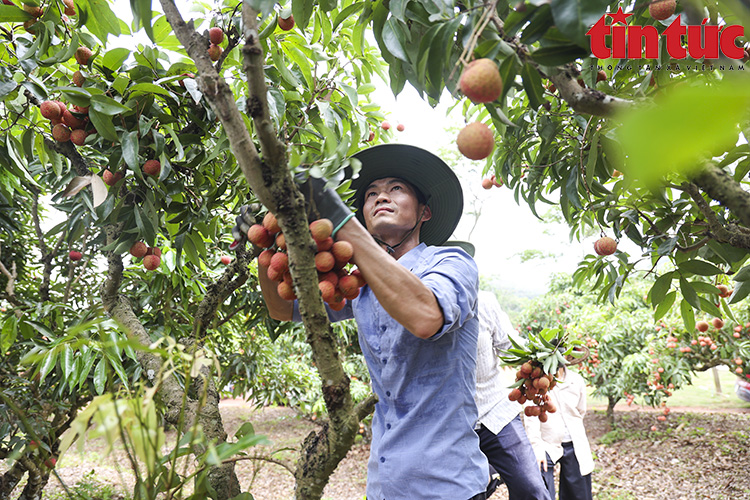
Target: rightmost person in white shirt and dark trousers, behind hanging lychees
(562, 439)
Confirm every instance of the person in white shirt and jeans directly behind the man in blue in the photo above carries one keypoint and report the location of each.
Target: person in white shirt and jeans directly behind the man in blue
(502, 437)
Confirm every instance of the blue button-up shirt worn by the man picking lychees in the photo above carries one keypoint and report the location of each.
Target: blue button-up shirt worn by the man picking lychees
(423, 442)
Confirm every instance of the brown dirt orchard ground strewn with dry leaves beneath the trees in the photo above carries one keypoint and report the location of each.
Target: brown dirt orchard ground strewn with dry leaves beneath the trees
(694, 454)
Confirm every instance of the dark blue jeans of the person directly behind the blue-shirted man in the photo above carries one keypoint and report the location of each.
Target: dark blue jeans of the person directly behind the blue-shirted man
(511, 454)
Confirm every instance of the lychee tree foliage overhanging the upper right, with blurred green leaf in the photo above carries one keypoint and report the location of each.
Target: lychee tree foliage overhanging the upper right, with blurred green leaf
(652, 150)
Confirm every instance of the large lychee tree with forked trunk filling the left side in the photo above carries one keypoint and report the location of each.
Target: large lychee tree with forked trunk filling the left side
(174, 139)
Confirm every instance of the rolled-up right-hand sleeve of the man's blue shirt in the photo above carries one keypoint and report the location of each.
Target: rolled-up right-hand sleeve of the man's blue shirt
(454, 279)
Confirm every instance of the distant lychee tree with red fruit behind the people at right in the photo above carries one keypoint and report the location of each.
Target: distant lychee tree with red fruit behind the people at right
(631, 355)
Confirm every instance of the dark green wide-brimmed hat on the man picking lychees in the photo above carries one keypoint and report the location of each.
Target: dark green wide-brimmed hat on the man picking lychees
(426, 172)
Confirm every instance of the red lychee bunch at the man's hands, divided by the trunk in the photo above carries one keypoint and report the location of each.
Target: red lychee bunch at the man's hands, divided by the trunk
(335, 282)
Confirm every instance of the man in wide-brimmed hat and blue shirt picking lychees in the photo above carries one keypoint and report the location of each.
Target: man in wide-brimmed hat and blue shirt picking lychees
(416, 318)
